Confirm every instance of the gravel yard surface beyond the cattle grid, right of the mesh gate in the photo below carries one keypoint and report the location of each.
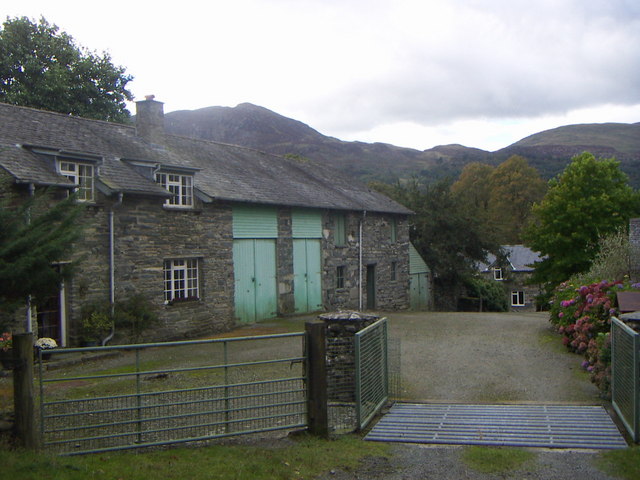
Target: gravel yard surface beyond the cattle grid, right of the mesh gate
(487, 358)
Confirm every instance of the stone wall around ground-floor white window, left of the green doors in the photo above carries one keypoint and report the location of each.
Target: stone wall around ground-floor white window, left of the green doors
(146, 234)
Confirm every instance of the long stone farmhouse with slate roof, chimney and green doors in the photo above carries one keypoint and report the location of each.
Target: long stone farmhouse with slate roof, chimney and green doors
(212, 235)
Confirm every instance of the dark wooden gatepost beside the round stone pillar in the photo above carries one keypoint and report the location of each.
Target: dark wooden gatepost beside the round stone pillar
(317, 399)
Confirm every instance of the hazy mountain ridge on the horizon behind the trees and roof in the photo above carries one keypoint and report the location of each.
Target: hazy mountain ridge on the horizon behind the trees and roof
(257, 127)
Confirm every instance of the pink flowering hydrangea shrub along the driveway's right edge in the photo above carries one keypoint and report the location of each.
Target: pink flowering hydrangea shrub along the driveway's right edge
(583, 316)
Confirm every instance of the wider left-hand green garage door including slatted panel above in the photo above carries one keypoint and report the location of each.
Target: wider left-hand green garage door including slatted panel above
(254, 262)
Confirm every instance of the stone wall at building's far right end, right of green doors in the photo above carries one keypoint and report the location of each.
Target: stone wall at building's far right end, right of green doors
(378, 250)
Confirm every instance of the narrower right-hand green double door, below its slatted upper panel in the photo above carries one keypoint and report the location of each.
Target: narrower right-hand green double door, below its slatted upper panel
(307, 277)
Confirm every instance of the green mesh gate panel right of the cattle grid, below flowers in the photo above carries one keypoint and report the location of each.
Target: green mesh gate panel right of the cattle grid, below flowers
(625, 376)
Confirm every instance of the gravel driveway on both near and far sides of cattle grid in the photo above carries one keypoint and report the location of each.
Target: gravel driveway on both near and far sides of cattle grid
(483, 358)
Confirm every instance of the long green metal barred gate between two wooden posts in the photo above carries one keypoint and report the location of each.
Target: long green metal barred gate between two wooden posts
(167, 393)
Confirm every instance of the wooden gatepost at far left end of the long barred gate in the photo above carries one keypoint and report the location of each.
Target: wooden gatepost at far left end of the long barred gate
(23, 401)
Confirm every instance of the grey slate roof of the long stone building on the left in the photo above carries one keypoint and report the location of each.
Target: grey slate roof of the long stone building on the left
(222, 171)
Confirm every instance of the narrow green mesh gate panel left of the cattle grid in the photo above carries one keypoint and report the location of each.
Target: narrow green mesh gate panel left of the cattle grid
(372, 371)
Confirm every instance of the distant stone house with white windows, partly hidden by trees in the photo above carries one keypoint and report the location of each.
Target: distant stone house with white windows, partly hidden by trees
(514, 272)
